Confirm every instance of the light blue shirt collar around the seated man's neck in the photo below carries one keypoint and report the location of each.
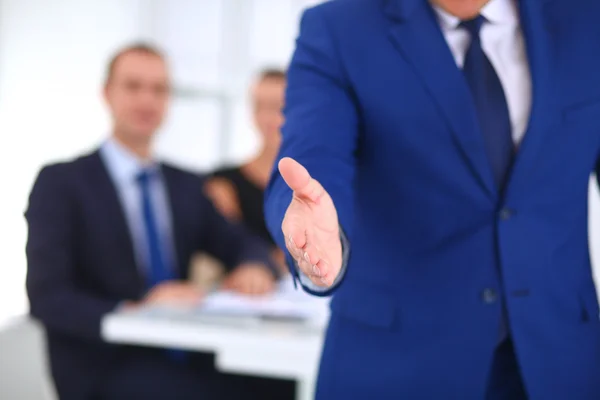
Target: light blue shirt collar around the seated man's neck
(123, 165)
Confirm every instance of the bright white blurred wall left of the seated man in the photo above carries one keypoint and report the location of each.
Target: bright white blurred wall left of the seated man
(52, 55)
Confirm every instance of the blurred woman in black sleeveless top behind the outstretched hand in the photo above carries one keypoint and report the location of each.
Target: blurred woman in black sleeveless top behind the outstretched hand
(237, 191)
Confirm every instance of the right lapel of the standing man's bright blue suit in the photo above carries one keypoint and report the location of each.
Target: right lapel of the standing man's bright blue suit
(535, 23)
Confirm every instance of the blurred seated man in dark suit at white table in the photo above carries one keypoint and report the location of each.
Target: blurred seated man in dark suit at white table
(116, 228)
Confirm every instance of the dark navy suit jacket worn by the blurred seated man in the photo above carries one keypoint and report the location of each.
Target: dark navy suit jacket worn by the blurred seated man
(81, 261)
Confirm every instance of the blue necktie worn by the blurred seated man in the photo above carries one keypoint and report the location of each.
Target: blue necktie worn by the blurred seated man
(158, 269)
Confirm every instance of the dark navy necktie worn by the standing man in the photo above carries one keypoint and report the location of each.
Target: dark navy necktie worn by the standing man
(490, 103)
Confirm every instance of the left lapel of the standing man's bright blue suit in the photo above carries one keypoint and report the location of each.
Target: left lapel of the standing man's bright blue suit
(416, 34)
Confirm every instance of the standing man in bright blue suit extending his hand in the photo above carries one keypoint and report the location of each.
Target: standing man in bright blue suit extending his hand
(449, 145)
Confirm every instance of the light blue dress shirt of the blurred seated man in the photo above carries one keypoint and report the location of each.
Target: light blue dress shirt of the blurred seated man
(123, 168)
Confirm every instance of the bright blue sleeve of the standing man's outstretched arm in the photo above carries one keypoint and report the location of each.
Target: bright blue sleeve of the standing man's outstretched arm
(321, 129)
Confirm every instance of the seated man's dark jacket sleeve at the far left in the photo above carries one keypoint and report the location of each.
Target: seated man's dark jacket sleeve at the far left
(54, 297)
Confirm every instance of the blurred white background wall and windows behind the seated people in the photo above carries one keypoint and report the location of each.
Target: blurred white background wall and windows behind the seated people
(53, 57)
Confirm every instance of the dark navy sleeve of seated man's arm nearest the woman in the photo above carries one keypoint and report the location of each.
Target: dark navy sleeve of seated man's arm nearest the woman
(231, 243)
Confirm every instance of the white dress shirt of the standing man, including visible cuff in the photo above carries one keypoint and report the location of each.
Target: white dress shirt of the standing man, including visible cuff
(504, 45)
